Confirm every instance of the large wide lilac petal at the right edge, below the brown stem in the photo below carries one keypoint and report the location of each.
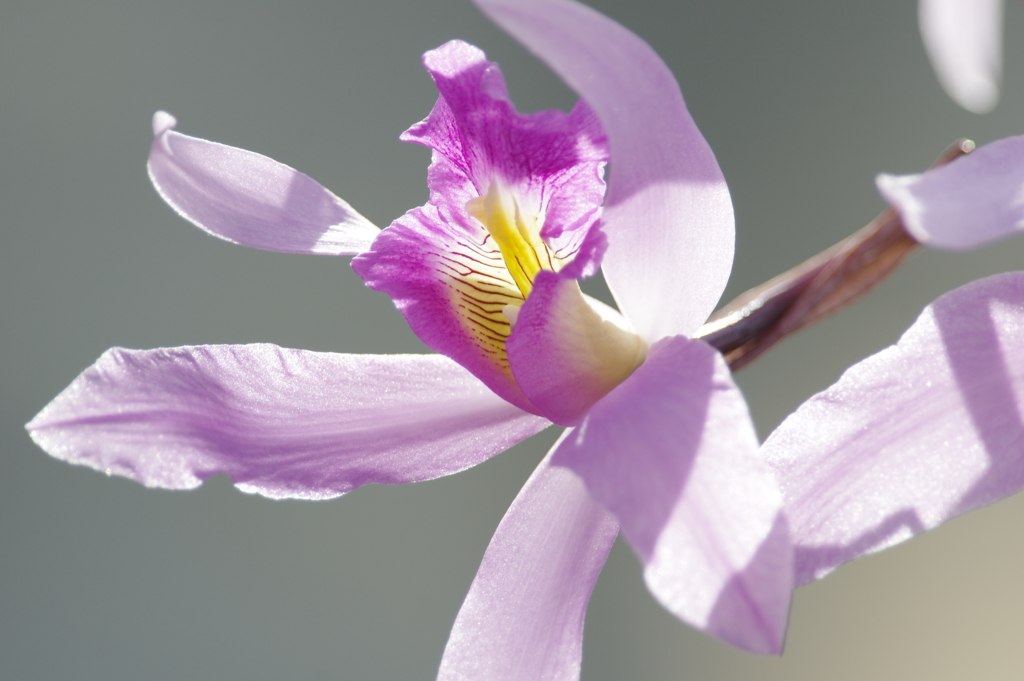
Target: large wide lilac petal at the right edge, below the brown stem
(925, 431)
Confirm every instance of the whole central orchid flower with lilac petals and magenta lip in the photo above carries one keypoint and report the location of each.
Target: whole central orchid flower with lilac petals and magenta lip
(659, 441)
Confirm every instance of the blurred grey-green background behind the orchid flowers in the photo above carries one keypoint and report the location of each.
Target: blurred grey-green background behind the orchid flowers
(803, 102)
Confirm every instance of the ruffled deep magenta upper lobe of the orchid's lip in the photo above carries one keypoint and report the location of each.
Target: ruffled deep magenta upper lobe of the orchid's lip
(552, 162)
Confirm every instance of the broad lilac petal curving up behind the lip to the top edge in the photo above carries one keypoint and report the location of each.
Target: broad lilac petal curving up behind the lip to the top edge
(668, 212)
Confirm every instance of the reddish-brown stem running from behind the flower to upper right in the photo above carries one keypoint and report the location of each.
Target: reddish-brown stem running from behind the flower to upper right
(760, 318)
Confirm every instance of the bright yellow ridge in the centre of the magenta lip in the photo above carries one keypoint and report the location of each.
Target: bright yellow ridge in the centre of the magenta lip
(518, 236)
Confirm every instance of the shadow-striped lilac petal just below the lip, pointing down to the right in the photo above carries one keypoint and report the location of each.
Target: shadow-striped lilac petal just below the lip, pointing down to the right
(673, 454)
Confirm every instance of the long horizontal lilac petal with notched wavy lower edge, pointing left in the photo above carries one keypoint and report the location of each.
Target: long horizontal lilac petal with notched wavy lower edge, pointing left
(280, 422)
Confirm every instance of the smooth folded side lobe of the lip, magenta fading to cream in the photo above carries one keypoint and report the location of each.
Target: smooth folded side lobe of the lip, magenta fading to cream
(565, 355)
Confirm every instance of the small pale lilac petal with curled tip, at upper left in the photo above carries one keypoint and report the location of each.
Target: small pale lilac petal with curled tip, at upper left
(248, 199)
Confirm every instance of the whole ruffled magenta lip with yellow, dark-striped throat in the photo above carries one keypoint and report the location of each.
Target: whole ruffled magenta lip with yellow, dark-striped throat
(514, 220)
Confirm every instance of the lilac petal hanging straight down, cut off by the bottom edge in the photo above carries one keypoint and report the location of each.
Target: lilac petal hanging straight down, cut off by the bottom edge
(523, 619)
